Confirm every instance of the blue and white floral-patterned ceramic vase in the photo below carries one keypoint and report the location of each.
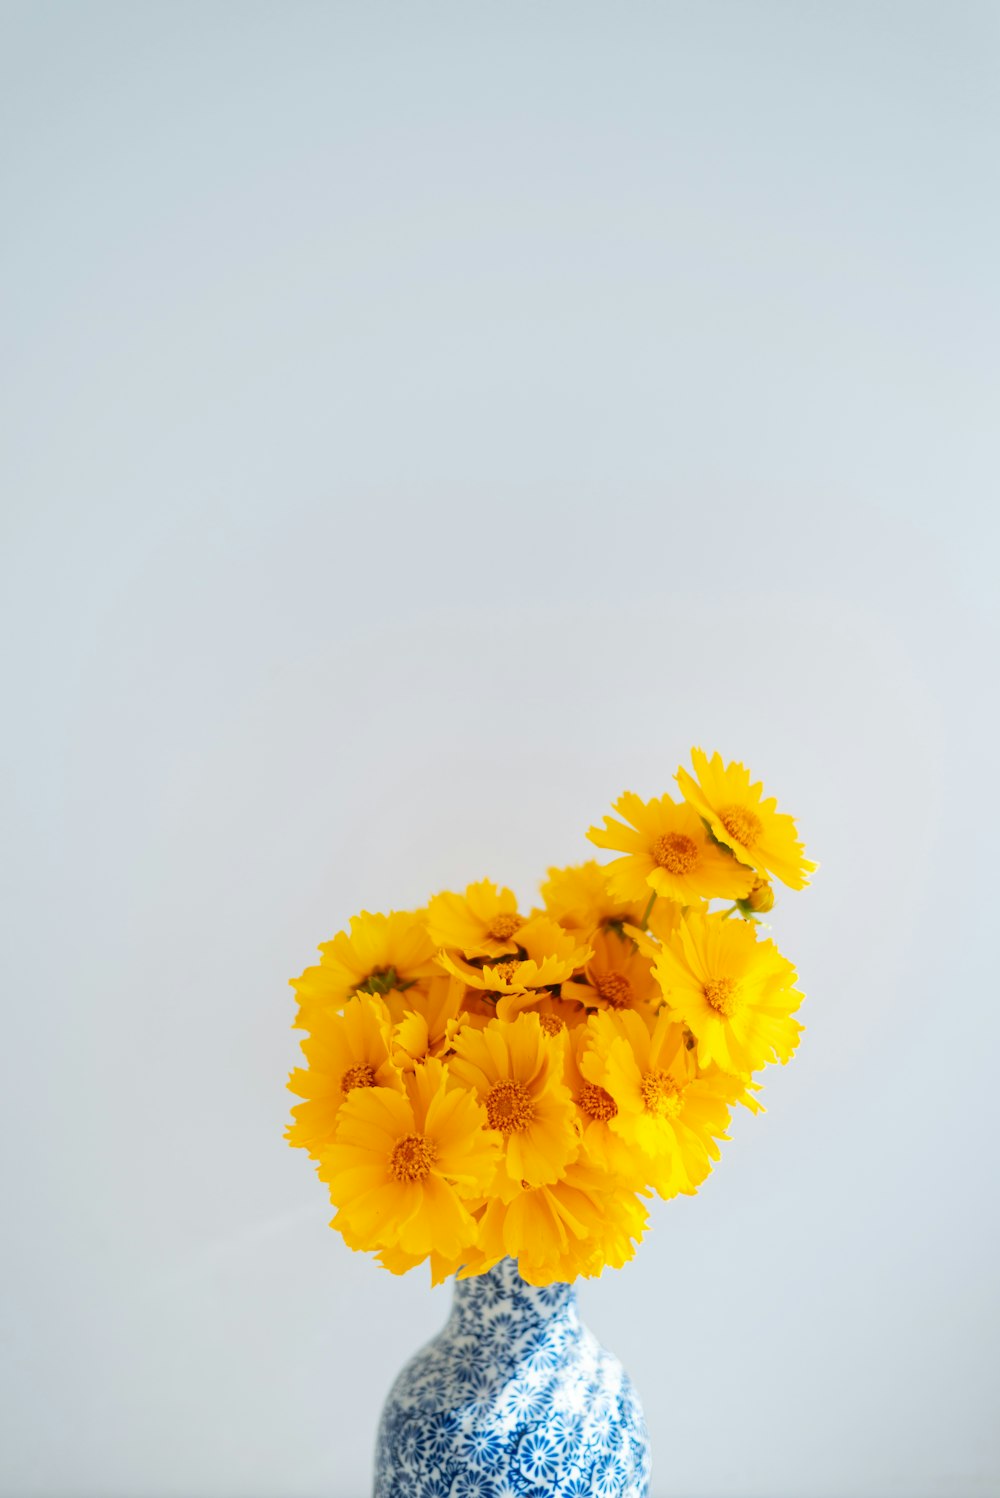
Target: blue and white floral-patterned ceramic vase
(514, 1400)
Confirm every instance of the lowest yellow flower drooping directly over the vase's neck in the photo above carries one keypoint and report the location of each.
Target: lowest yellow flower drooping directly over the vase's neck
(574, 1228)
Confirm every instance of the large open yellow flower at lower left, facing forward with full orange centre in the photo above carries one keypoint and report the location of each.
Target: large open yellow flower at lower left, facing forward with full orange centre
(405, 1165)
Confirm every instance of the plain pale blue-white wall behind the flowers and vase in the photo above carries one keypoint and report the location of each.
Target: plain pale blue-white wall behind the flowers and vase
(421, 425)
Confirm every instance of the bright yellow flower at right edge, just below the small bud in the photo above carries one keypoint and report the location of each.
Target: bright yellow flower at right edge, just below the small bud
(736, 994)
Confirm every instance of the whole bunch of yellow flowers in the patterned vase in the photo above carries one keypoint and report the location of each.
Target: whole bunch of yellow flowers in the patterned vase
(483, 1082)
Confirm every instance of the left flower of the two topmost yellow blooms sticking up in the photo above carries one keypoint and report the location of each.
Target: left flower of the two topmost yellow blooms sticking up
(667, 850)
